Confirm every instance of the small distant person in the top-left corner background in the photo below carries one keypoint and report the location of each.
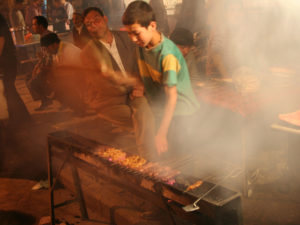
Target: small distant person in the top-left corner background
(16, 16)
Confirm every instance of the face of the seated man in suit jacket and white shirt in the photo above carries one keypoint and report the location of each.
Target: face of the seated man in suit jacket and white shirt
(96, 24)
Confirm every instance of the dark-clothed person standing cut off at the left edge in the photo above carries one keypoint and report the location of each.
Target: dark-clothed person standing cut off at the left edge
(17, 110)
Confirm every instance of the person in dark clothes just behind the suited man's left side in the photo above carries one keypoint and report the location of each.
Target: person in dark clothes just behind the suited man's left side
(81, 36)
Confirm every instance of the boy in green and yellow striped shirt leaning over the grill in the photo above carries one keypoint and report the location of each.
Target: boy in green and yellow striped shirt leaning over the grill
(164, 74)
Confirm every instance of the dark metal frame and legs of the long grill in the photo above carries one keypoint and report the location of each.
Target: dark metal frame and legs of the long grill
(60, 145)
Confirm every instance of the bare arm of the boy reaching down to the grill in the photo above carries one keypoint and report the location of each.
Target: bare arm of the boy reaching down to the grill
(161, 142)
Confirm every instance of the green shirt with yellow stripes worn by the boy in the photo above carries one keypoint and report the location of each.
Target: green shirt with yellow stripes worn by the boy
(162, 66)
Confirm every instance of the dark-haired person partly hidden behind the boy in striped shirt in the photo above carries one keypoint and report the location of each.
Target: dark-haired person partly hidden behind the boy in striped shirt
(183, 38)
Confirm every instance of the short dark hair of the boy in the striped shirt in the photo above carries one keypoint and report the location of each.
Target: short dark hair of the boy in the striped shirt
(138, 12)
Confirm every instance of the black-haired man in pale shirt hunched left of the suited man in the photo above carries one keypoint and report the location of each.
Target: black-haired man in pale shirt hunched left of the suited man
(63, 78)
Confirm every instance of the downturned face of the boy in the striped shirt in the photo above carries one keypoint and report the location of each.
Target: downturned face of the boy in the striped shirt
(141, 36)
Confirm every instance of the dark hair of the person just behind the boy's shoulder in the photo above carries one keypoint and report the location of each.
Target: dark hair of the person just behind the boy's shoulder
(182, 36)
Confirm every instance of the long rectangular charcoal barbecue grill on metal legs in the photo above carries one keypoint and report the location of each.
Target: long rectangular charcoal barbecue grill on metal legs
(209, 199)
